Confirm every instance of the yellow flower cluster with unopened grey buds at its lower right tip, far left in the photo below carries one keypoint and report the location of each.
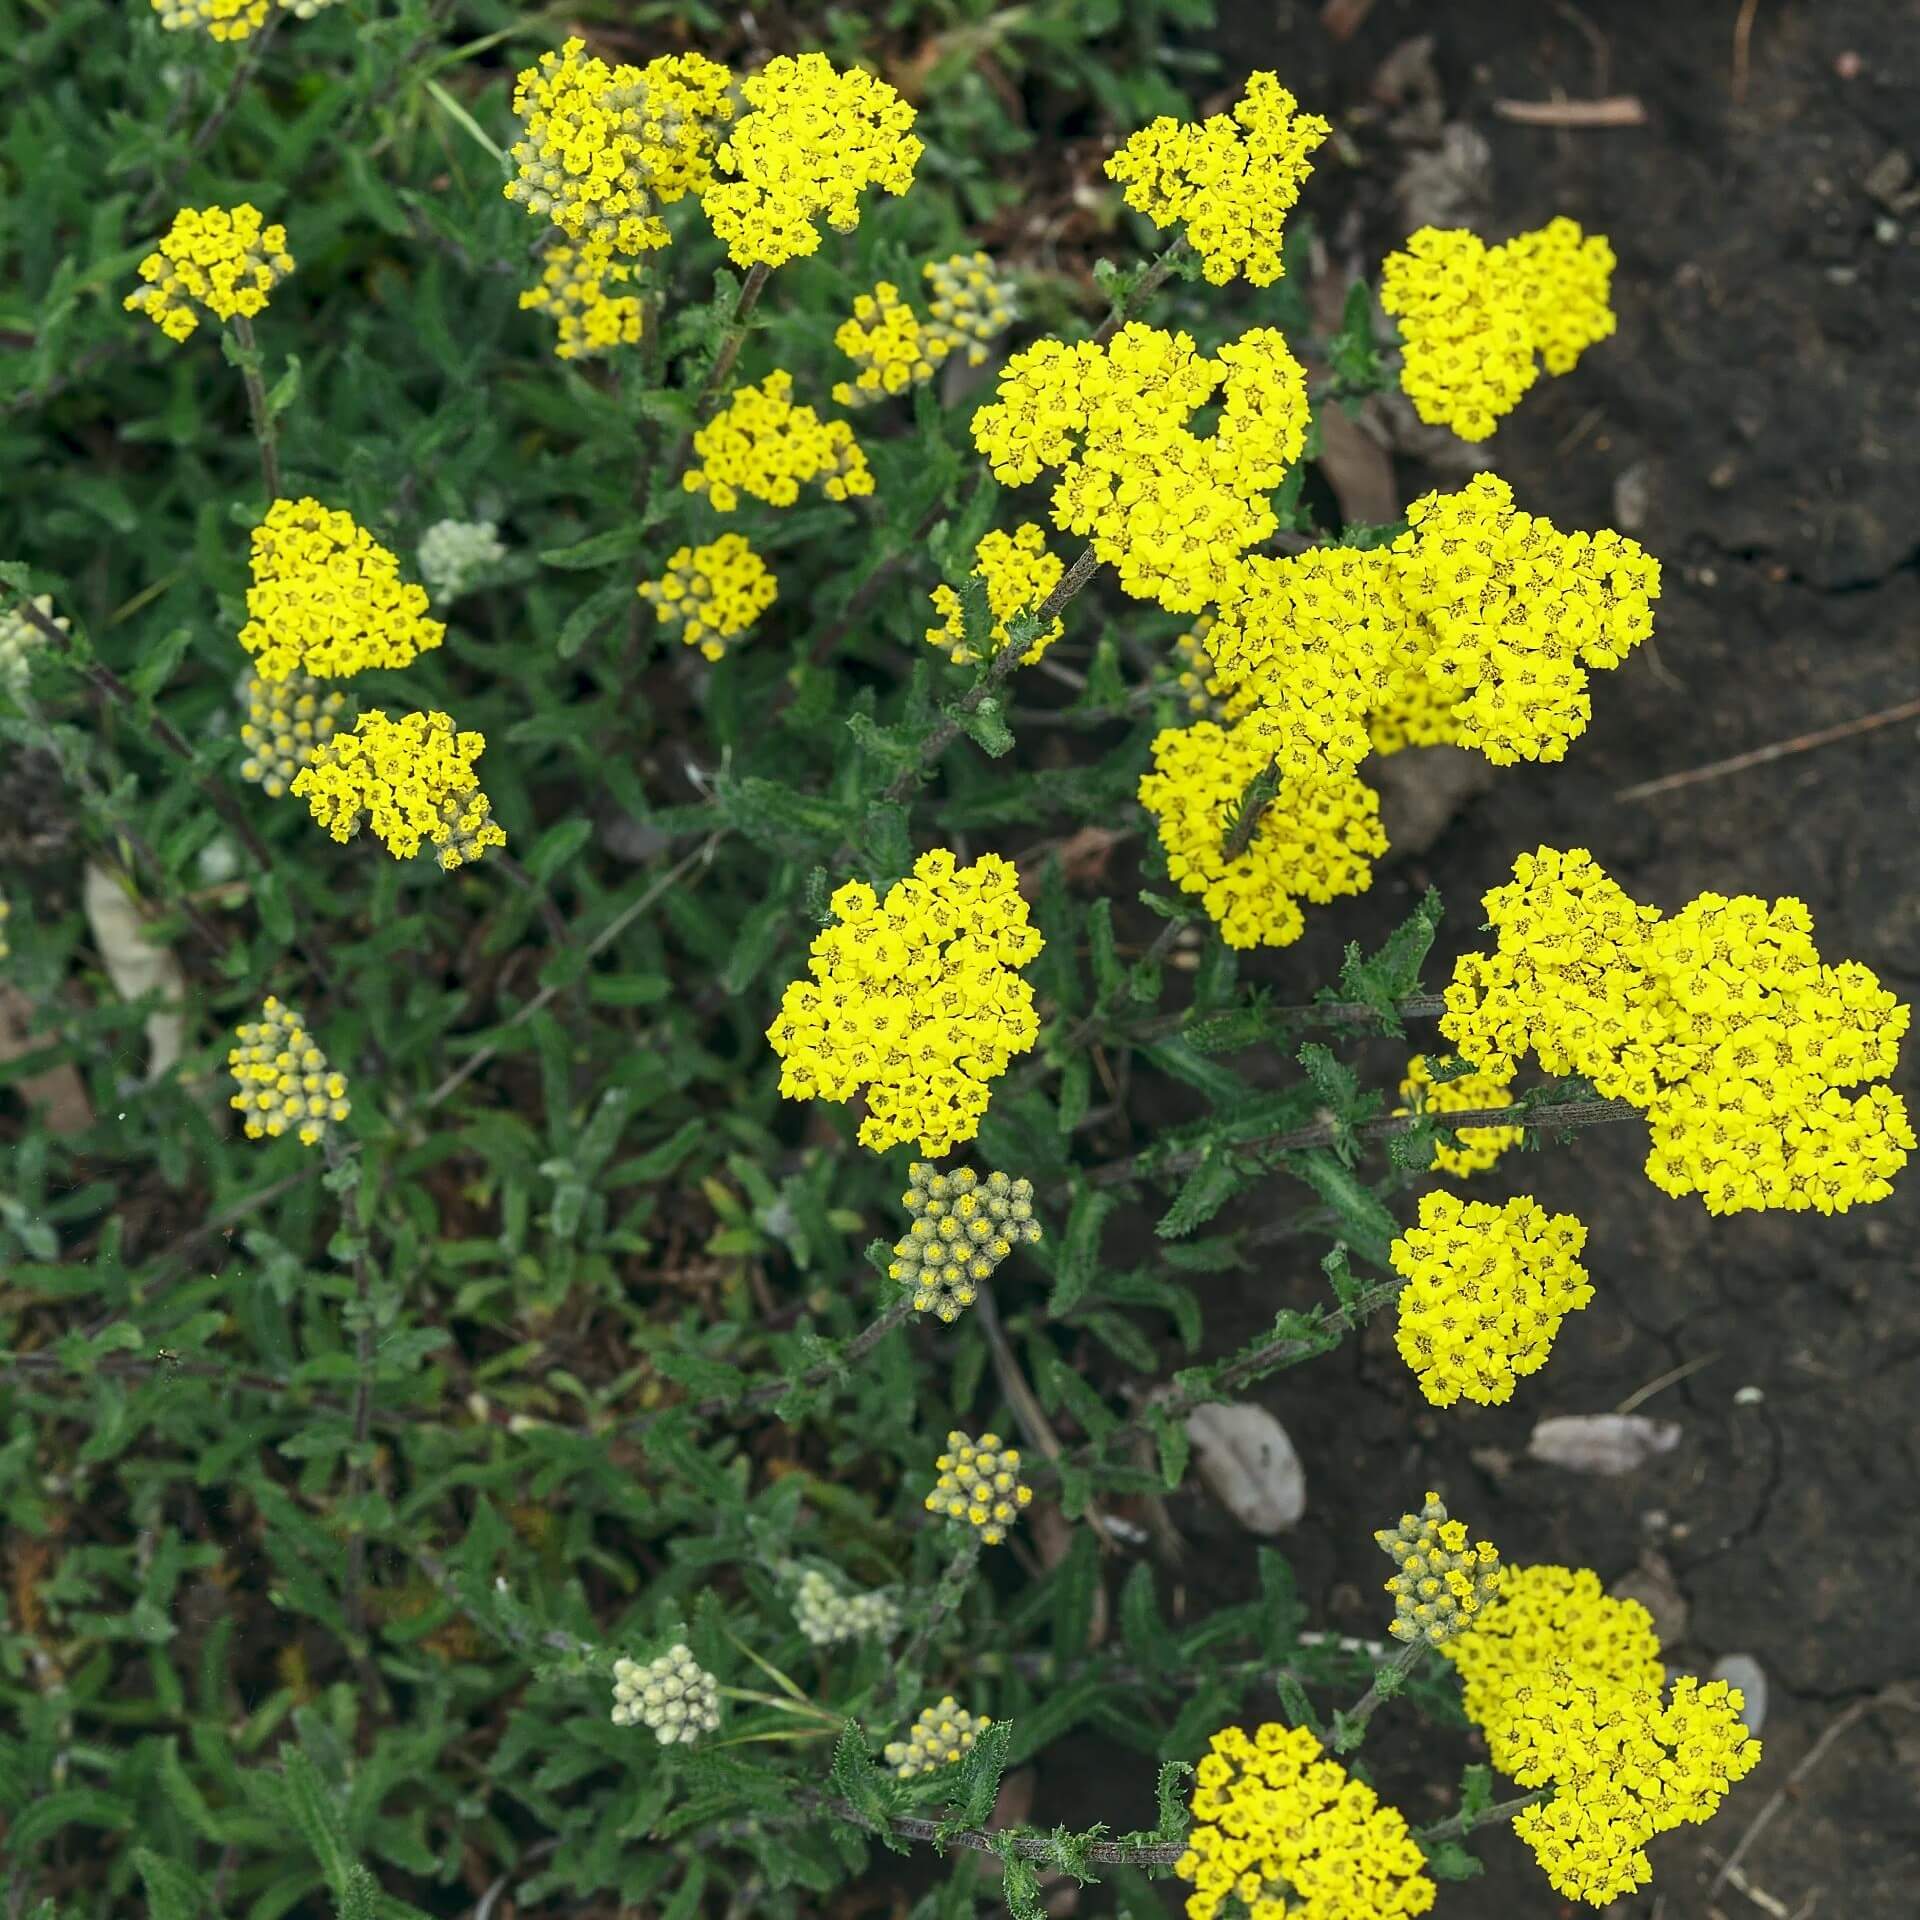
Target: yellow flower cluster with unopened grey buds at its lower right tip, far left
(414, 779)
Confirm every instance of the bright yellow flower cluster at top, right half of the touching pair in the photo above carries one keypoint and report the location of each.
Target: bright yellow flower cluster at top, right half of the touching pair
(815, 143)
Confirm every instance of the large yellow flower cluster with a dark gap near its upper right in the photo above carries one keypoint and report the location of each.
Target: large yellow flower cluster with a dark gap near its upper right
(1170, 512)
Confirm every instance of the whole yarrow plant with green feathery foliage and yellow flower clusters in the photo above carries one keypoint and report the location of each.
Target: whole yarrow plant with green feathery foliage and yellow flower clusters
(1030, 700)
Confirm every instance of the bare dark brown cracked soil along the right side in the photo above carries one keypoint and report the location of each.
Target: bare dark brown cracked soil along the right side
(1758, 425)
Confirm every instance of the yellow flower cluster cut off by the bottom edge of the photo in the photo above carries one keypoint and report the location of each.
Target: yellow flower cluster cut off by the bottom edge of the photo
(1284, 1829)
